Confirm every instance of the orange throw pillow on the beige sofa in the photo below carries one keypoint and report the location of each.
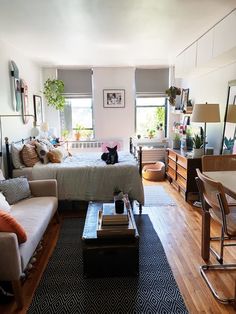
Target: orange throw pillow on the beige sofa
(9, 224)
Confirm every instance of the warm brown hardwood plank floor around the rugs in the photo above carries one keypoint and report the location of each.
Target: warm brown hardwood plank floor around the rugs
(179, 229)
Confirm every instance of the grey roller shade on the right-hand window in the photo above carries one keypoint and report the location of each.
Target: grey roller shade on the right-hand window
(152, 80)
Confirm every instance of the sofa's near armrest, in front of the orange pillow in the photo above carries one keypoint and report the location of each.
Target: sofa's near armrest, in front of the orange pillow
(10, 261)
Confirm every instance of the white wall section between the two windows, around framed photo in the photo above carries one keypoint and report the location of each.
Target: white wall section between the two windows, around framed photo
(114, 122)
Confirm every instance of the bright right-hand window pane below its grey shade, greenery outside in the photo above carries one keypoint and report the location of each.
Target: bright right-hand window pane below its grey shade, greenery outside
(151, 112)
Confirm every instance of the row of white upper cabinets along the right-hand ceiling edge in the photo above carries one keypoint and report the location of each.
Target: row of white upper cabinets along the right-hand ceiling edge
(214, 49)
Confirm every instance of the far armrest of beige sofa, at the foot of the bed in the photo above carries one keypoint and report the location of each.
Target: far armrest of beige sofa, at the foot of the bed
(43, 187)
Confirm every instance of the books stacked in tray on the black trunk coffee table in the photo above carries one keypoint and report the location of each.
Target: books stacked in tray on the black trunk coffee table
(112, 224)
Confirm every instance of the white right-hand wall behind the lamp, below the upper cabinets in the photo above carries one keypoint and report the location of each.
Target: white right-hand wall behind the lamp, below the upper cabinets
(212, 88)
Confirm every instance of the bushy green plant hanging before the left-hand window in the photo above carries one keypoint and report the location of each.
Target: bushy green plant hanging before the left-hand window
(53, 90)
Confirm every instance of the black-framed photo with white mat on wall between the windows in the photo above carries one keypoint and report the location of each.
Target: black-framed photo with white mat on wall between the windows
(113, 98)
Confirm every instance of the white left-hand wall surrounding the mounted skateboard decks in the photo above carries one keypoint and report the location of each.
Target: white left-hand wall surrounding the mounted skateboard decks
(14, 128)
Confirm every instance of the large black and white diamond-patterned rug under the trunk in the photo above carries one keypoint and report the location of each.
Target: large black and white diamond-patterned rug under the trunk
(63, 289)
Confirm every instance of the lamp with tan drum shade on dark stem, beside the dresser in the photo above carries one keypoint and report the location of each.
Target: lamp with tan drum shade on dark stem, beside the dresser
(205, 113)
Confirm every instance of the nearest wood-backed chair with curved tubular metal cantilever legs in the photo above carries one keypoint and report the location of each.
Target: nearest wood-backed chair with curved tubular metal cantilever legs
(214, 203)
